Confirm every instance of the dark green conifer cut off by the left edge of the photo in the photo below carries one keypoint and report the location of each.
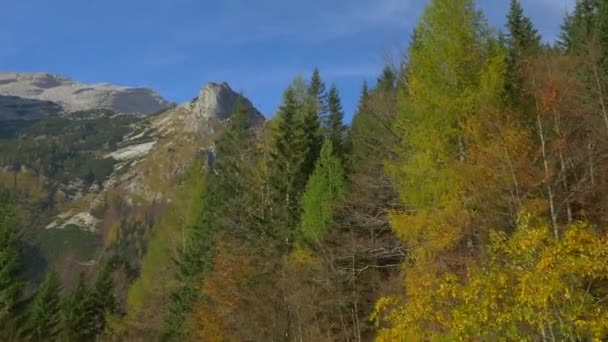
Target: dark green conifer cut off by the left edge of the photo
(11, 285)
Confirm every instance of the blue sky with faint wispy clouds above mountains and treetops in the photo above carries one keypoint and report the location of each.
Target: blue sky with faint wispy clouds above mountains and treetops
(257, 46)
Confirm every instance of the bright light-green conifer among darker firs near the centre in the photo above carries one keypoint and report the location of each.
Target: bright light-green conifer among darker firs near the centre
(325, 186)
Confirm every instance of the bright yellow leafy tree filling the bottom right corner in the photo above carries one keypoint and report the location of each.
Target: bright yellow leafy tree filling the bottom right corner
(530, 287)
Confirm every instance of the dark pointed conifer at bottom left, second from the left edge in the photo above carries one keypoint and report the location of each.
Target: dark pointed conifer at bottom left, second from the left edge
(45, 316)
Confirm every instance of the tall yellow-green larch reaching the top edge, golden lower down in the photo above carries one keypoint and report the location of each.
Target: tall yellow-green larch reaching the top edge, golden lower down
(445, 73)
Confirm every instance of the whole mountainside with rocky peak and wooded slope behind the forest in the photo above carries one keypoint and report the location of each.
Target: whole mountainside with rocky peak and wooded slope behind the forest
(94, 174)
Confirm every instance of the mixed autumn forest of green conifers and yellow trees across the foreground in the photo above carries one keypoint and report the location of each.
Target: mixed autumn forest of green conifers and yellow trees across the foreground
(467, 200)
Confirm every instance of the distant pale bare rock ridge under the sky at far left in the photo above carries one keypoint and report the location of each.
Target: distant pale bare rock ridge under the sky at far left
(74, 96)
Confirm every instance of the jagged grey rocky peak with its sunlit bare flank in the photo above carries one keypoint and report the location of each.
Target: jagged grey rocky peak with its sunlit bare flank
(159, 149)
